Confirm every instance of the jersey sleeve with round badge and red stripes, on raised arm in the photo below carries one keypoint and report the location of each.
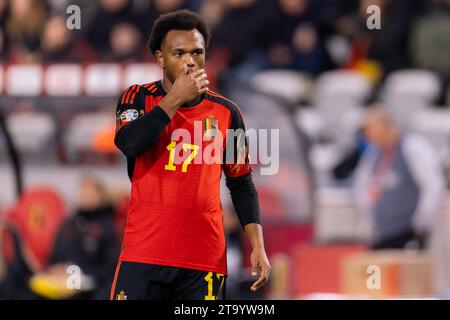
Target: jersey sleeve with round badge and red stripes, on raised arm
(130, 106)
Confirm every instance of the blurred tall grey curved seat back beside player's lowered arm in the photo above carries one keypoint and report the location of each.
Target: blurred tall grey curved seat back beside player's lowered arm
(291, 181)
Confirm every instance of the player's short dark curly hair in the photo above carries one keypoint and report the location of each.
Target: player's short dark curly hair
(176, 20)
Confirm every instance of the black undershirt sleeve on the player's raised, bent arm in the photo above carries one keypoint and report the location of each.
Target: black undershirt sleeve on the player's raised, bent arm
(139, 135)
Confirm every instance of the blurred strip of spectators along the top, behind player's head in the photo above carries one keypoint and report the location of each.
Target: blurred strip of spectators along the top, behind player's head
(248, 35)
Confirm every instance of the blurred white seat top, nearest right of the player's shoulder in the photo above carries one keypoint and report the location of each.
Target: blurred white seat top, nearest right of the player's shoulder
(292, 86)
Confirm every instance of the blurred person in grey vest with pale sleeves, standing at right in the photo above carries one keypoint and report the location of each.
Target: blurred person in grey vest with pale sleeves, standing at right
(399, 181)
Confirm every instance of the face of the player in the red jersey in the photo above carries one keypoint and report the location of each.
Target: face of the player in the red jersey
(179, 49)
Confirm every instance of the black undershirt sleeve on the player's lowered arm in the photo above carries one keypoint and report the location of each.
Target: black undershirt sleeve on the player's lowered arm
(245, 198)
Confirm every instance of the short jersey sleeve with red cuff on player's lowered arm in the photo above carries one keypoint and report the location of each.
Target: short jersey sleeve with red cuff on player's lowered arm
(236, 156)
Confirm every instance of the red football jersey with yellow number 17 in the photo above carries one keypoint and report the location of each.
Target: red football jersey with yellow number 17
(175, 215)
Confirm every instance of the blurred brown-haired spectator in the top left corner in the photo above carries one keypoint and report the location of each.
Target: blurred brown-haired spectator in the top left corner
(24, 25)
